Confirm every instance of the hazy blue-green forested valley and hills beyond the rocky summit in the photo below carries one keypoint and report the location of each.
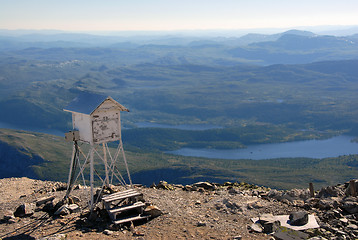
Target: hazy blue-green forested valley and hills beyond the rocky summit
(278, 88)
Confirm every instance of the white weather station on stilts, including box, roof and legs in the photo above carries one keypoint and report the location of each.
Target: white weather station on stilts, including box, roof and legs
(96, 122)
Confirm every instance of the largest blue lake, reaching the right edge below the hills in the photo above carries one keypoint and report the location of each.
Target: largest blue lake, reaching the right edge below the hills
(333, 147)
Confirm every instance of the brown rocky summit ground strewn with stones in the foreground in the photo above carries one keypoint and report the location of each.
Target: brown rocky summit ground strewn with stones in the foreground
(198, 211)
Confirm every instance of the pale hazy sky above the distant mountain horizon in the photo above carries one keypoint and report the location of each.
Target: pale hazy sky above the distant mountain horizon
(119, 15)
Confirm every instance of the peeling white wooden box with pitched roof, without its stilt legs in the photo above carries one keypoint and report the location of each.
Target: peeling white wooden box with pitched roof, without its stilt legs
(95, 119)
